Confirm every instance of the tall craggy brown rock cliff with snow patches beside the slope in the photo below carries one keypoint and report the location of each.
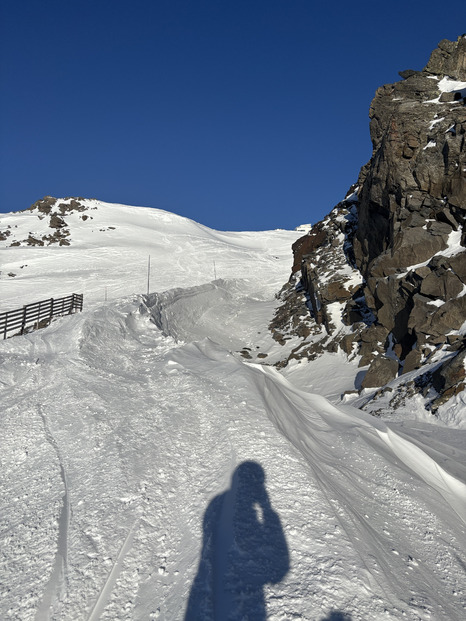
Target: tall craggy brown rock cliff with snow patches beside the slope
(384, 275)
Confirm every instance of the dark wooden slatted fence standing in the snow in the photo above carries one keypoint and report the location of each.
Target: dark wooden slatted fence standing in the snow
(32, 315)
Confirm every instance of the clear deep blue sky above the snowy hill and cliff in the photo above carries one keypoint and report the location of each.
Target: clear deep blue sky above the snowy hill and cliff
(240, 114)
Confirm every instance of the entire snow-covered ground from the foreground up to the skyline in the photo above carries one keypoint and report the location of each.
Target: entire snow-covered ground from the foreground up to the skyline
(149, 470)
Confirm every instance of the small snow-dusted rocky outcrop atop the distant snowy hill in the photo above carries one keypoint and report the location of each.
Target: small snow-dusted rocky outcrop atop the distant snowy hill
(54, 211)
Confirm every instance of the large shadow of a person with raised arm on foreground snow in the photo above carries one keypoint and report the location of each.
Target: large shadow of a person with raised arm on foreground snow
(244, 548)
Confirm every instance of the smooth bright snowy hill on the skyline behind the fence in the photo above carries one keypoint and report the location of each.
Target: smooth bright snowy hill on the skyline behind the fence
(107, 248)
